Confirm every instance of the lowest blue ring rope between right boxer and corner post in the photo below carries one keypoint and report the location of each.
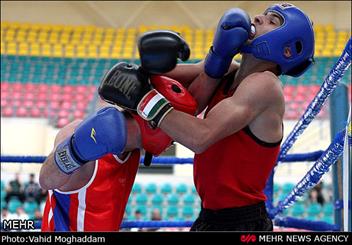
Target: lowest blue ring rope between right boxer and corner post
(305, 224)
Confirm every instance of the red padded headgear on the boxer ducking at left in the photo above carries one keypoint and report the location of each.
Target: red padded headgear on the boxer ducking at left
(155, 141)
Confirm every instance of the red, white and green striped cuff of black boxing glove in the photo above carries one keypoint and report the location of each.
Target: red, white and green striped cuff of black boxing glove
(151, 104)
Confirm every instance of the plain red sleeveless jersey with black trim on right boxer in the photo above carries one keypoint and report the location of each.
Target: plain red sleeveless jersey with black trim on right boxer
(233, 171)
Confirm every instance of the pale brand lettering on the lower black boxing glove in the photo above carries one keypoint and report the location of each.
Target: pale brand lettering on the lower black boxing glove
(123, 83)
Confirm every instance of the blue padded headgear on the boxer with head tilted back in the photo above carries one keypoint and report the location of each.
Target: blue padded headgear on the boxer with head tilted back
(296, 32)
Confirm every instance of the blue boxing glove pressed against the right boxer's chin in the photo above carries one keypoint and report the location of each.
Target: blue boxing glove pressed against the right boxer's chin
(232, 32)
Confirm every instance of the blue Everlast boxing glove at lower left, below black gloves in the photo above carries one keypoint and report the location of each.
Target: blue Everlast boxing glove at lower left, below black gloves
(102, 133)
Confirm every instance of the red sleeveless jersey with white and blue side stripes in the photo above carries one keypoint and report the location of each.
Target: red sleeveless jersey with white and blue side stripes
(100, 204)
